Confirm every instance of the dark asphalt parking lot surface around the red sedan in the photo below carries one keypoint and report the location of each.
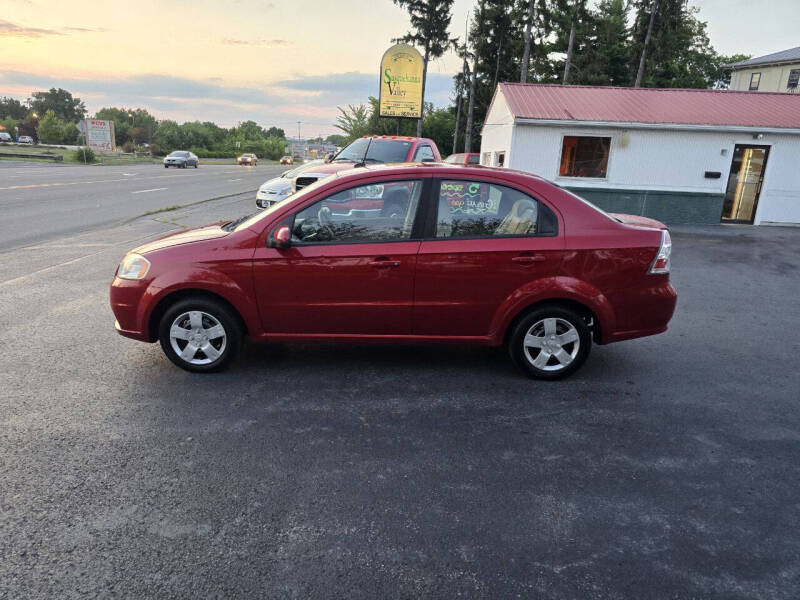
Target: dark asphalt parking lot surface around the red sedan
(668, 467)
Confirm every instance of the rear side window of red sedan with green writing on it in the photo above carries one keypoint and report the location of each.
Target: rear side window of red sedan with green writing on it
(481, 209)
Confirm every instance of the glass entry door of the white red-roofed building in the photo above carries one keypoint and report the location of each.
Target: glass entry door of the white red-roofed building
(744, 183)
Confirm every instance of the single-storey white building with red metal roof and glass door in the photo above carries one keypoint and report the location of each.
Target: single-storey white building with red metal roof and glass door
(680, 156)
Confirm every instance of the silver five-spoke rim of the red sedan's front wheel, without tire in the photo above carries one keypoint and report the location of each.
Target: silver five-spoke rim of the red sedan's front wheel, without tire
(197, 337)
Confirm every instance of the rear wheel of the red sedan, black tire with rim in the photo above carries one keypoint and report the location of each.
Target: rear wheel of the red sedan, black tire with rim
(551, 363)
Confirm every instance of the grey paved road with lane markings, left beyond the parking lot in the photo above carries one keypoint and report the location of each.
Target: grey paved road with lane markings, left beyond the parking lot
(42, 202)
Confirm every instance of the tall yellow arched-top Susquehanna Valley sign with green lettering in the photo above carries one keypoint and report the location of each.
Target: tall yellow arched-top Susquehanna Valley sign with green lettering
(401, 83)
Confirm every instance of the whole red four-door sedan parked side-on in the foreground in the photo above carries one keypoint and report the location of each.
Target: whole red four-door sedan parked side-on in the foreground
(443, 254)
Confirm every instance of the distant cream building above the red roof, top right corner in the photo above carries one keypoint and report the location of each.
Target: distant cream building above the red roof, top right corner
(777, 72)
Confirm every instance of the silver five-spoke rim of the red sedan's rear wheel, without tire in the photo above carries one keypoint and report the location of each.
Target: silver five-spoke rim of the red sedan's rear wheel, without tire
(551, 344)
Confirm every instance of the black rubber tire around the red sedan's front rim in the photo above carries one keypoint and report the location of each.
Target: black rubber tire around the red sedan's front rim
(217, 311)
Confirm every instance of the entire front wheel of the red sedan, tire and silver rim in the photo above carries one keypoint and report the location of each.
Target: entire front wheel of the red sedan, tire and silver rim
(200, 335)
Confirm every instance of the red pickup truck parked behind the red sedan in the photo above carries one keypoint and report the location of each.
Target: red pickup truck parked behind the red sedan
(373, 150)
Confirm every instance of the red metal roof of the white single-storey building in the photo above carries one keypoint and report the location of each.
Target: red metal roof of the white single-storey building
(652, 105)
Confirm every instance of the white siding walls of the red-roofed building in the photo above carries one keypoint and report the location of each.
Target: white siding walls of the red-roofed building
(655, 160)
